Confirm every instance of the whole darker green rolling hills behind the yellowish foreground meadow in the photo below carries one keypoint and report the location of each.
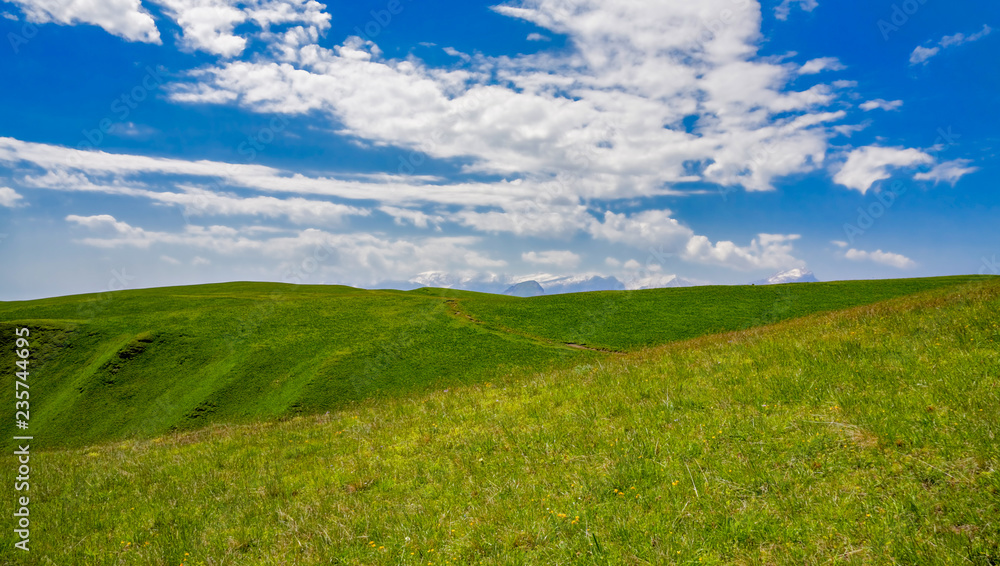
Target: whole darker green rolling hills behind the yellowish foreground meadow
(134, 364)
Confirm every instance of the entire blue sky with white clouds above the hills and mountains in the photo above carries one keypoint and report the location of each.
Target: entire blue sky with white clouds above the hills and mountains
(394, 142)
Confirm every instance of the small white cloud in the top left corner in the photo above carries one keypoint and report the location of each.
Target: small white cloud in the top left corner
(124, 18)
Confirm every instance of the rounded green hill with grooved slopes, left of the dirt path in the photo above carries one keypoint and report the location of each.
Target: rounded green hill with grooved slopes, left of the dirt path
(137, 363)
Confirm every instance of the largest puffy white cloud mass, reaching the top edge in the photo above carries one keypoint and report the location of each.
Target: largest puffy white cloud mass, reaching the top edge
(609, 108)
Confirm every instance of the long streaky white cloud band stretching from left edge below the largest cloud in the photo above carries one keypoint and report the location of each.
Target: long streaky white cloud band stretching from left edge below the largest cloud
(522, 208)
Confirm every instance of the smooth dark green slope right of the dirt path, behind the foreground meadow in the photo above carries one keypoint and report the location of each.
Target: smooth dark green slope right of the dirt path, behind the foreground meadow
(617, 320)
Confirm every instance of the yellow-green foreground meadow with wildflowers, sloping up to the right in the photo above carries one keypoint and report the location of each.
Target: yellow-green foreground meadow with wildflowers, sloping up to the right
(866, 436)
